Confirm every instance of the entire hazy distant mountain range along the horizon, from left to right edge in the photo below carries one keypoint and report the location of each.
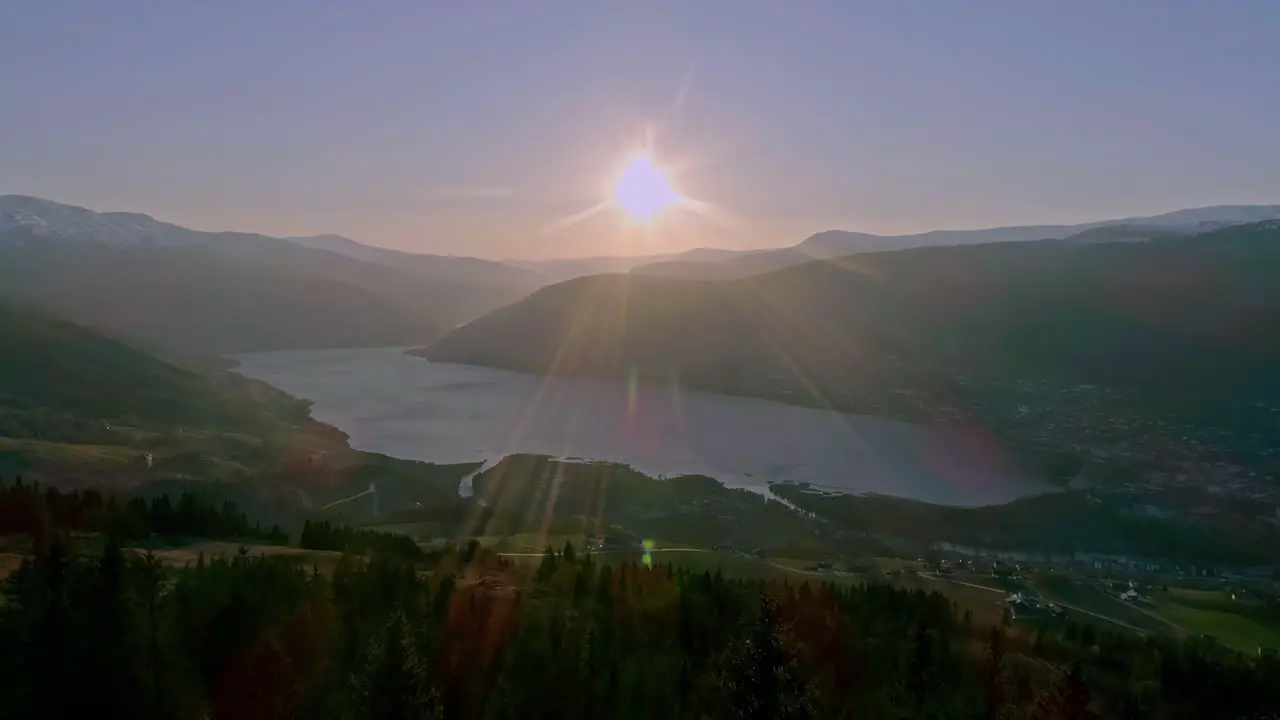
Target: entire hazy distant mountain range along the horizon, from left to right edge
(212, 293)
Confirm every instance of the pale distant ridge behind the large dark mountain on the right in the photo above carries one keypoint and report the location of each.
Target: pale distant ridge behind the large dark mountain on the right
(835, 244)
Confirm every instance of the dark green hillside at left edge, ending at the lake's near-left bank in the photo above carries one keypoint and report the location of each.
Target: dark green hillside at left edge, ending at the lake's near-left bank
(80, 407)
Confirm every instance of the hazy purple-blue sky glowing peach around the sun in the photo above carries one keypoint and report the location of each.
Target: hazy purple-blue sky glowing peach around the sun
(484, 129)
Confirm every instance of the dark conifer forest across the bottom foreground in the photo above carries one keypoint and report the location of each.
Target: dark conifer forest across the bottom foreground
(465, 634)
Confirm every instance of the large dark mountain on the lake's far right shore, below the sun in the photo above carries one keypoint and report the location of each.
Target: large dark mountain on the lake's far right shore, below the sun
(1181, 320)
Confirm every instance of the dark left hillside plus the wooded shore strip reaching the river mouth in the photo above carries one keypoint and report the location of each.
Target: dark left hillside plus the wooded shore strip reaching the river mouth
(79, 408)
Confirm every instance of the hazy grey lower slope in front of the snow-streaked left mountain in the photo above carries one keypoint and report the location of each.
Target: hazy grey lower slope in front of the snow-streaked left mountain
(195, 300)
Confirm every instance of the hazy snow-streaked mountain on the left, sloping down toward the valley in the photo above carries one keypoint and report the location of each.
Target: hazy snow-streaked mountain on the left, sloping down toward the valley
(213, 293)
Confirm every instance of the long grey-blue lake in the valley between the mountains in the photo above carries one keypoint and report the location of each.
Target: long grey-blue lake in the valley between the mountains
(405, 407)
